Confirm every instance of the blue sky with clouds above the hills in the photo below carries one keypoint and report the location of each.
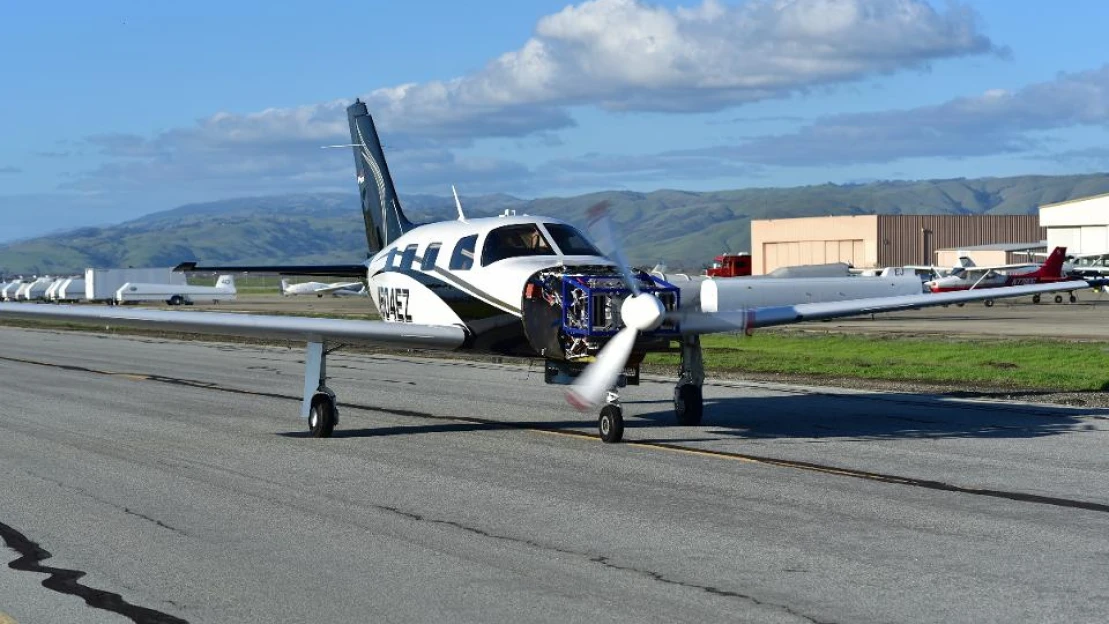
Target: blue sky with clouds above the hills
(118, 109)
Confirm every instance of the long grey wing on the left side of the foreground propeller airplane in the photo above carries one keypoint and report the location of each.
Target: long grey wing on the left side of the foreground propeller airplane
(258, 326)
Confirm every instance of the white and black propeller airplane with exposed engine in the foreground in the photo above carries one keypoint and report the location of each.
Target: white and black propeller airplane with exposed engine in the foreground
(518, 285)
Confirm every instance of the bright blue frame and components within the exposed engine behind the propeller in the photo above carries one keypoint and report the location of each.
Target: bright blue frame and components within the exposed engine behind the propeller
(592, 304)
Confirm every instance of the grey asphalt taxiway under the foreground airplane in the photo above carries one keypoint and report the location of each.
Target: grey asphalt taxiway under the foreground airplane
(177, 477)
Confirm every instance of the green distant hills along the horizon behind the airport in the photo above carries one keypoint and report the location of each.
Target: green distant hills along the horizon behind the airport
(677, 228)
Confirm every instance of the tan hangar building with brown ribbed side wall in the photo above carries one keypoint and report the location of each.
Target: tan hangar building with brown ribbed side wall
(880, 241)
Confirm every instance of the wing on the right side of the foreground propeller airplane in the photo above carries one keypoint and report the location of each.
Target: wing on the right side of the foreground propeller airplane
(770, 316)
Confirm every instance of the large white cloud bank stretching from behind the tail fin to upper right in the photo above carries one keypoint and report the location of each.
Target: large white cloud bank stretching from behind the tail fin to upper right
(616, 55)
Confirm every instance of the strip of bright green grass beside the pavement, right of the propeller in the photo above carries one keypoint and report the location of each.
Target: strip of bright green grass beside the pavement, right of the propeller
(1053, 365)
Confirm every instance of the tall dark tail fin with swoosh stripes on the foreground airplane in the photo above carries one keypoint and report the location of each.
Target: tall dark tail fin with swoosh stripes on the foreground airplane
(385, 221)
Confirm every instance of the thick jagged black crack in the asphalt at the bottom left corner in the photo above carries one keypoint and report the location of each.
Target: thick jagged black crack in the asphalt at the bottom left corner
(66, 581)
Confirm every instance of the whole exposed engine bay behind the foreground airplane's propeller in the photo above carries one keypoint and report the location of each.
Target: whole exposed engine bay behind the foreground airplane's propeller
(569, 313)
